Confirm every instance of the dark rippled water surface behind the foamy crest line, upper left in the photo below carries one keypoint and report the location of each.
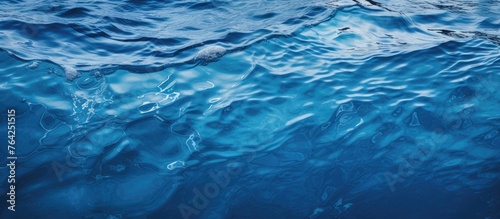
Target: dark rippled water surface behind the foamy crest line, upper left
(167, 34)
